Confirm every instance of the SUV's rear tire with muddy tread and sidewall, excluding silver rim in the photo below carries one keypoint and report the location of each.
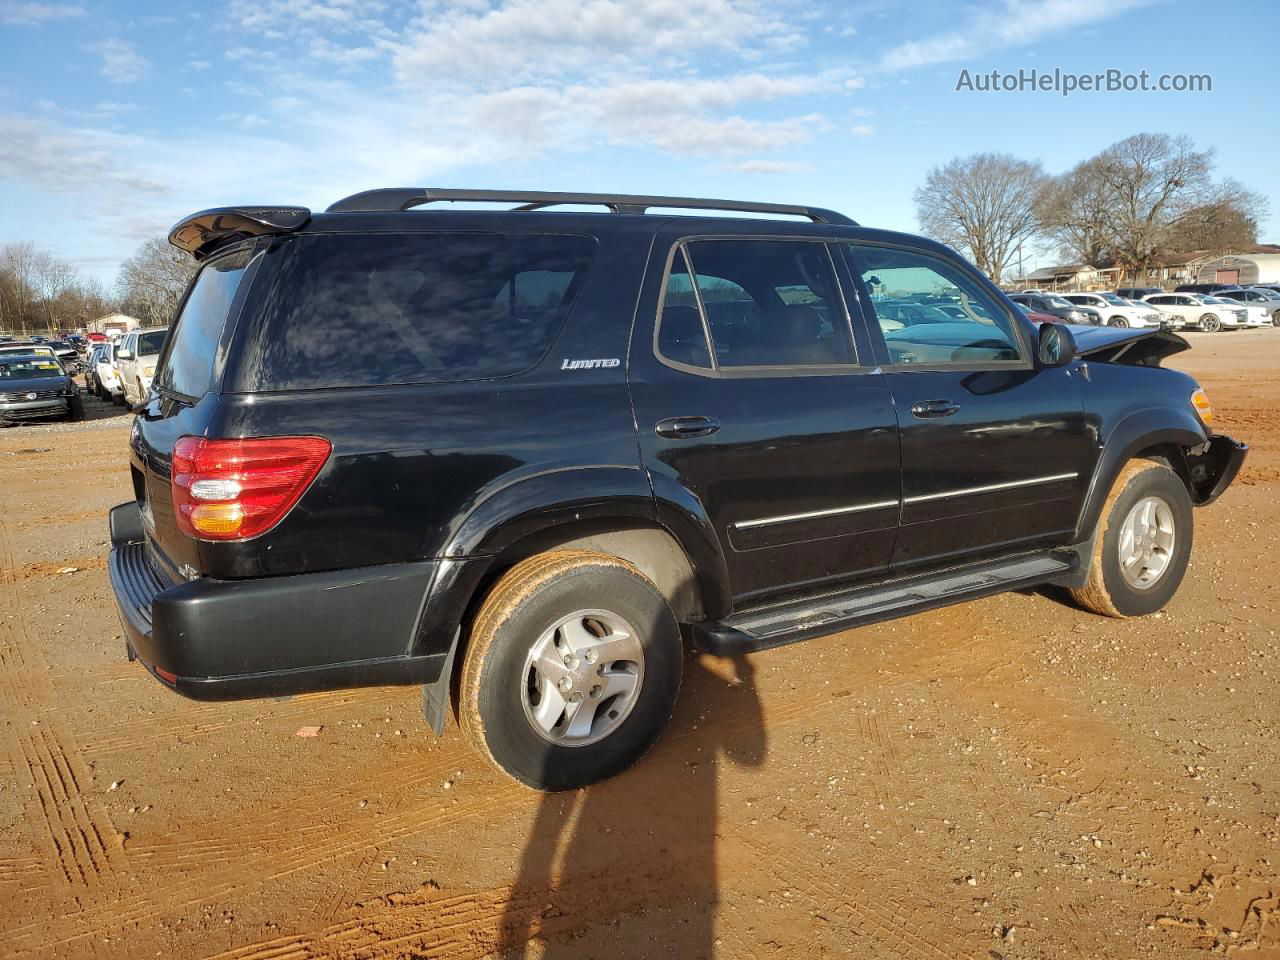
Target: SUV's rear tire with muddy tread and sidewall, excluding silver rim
(522, 606)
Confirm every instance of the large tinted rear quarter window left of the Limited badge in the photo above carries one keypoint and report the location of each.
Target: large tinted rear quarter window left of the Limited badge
(360, 310)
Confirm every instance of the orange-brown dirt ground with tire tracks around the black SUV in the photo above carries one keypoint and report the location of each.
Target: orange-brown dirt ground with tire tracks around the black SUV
(1008, 779)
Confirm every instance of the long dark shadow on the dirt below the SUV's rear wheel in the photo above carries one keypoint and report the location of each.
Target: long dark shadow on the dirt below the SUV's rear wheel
(629, 866)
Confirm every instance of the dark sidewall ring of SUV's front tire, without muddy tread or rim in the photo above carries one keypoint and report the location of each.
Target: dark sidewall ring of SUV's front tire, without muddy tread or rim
(1163, 483)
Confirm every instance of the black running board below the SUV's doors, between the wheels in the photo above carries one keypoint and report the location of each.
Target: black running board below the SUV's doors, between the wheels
(817, 616)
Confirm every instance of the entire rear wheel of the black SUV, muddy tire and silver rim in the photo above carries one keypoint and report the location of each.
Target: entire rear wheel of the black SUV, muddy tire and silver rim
(572, 670)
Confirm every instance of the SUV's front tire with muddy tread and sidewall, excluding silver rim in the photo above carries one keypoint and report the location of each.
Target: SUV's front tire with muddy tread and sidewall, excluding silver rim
(1108, 592)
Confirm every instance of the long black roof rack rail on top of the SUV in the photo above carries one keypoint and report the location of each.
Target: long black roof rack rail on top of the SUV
(406, 198)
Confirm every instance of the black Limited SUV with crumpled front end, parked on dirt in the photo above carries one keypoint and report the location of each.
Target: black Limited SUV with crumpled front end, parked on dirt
(518, 456)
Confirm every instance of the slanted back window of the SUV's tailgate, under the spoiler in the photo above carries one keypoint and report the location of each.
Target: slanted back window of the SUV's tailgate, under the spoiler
(189, 371)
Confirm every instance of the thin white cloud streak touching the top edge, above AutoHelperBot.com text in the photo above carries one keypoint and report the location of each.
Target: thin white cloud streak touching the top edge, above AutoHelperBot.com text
(1011, 24)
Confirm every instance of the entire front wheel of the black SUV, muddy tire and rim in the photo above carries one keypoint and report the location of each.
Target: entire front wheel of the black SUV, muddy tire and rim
(1144, 543)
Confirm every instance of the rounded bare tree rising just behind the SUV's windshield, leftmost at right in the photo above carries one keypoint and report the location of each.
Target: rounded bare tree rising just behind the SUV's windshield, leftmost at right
(985, 205)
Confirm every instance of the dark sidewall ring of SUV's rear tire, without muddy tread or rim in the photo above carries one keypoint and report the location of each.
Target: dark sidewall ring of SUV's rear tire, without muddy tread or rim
(509, 735)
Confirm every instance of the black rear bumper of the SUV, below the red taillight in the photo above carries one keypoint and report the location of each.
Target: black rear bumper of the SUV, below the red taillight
(241, 639)
